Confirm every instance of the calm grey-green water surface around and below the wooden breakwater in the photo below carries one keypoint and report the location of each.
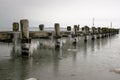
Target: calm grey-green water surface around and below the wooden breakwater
(91, 61)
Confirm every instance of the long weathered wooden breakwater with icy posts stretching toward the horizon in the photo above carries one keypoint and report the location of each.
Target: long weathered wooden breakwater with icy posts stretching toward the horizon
(24, 36)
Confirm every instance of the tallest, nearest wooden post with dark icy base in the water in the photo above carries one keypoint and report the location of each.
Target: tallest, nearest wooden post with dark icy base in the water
(25, 37)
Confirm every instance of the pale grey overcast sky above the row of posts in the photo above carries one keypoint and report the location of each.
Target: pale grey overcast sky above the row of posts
(65, 12)
